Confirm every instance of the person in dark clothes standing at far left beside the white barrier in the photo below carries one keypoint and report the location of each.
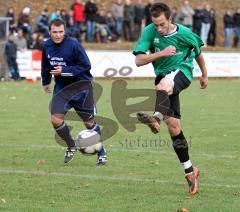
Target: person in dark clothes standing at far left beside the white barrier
(10, 53)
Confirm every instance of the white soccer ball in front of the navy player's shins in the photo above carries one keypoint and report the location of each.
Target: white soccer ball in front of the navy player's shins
(89, 142)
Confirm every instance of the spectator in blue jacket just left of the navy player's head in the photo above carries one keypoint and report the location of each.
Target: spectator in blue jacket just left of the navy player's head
(42, 22)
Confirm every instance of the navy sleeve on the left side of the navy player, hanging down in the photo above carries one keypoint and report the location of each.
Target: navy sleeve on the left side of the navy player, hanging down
(46, 68)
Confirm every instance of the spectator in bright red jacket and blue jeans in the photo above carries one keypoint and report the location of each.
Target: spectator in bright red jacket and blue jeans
(78, 18)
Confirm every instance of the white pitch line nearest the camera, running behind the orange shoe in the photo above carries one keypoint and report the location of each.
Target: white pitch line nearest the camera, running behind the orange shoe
(113, 178)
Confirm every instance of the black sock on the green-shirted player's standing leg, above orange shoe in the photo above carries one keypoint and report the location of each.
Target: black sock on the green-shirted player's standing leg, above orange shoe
(180, 146)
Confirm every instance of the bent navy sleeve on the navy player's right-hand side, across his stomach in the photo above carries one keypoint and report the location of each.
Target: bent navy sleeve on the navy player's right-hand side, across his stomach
(81, 64)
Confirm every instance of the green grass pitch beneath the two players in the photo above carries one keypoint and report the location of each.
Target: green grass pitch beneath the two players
(139, 176)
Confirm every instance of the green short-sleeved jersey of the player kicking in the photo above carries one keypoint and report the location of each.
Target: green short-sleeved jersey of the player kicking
(187, 44)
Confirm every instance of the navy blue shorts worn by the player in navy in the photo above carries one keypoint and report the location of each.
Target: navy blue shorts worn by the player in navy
(78, 95)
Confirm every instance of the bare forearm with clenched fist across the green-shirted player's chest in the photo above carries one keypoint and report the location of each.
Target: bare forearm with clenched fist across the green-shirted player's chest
(143, 59)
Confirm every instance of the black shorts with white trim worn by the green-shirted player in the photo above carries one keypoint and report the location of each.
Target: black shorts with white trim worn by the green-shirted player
(181, 82)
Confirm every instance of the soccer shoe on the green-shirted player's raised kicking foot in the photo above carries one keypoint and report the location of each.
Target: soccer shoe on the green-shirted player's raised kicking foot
(151, 121)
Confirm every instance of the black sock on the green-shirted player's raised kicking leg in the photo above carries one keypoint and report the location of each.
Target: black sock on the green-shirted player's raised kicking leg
(163, 103)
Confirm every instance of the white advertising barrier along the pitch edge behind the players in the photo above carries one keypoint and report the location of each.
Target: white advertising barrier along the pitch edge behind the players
(121, 64)
